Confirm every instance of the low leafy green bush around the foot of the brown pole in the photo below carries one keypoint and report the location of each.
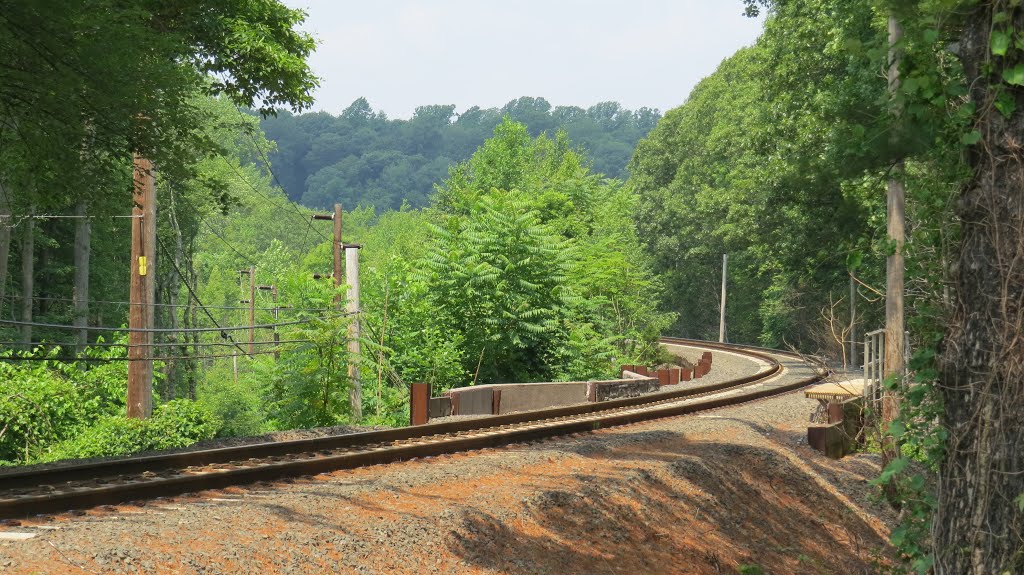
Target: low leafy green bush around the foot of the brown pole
(177, 424)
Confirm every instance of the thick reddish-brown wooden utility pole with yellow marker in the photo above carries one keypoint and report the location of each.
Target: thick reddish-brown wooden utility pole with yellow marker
(142, 291)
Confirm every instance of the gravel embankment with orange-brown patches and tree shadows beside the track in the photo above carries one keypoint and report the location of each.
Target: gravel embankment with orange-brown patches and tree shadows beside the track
(696, 495)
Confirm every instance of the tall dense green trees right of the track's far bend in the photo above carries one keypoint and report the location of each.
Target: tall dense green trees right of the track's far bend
(769, 161)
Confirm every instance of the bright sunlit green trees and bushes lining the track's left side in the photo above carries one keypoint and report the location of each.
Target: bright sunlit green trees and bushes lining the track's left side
(527, 268)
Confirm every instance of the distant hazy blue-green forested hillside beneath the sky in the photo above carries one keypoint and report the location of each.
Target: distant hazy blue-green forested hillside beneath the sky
(362, 158)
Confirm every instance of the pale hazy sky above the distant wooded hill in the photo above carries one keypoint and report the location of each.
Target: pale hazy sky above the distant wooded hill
(404, 54)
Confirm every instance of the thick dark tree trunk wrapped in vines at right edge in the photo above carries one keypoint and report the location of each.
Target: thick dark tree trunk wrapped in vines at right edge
(978, 527)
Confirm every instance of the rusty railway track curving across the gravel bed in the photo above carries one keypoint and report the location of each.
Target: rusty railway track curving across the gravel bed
(31, 492)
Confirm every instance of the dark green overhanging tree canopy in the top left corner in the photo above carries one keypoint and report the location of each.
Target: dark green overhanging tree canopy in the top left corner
(118, 79)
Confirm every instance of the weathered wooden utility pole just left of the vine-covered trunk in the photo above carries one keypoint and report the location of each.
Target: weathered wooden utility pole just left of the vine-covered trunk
(894, 364)
